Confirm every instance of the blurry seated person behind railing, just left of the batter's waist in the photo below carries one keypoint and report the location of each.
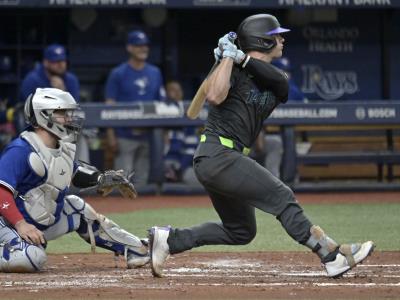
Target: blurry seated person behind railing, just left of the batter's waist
(181, 143)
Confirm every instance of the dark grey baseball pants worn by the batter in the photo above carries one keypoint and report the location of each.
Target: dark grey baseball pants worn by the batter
(236, 185)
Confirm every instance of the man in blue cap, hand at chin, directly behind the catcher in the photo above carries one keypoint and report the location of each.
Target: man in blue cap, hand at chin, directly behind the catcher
(53, 72)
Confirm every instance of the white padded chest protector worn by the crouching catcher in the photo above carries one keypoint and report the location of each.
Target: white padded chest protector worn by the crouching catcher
(41, 202)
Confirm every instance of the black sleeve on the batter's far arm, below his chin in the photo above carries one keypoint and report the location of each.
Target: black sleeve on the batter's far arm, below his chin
(268, 77)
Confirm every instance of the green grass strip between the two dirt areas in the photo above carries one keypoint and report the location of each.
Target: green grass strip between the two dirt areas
(343, 222)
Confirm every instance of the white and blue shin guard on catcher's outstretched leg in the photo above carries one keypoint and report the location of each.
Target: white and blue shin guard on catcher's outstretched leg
(100, 231)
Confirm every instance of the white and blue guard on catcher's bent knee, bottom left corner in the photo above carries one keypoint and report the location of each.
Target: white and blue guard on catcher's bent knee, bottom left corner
(18, 256)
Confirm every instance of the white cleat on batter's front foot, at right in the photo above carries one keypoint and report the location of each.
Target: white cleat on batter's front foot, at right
(348, 257)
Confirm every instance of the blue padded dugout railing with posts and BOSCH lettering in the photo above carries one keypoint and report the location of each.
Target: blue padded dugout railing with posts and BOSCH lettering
(288, 117)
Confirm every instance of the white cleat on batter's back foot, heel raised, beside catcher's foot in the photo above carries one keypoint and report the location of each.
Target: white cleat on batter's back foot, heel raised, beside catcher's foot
(159, 249)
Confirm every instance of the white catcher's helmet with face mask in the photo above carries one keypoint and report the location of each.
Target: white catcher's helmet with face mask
(39, 109)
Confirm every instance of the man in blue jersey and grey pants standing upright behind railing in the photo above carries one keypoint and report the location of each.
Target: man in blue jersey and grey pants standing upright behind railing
(133, 81)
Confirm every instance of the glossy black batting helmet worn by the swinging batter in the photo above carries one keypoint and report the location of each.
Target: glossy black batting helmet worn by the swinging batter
(256, 32)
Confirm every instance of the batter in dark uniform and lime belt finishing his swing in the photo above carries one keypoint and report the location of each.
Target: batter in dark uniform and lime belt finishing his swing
(243, 91)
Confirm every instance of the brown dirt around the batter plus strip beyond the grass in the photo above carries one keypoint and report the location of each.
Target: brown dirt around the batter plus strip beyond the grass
(193, 275)
